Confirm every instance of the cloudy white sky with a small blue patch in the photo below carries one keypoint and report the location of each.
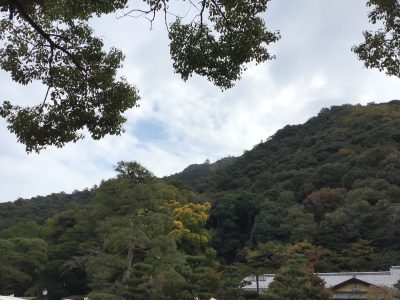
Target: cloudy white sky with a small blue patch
(180, 123)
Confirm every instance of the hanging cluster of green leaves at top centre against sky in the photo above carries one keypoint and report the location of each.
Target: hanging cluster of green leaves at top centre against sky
(236, 35)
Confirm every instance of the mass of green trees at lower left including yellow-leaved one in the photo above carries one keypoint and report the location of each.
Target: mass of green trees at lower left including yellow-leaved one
(138, 237)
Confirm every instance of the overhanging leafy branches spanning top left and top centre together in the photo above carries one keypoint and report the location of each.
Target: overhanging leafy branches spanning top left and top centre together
(51, 42)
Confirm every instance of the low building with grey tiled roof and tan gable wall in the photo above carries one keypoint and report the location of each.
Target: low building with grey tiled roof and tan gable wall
(344, 285)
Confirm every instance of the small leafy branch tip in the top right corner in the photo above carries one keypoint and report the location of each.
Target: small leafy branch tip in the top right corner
(381, 49)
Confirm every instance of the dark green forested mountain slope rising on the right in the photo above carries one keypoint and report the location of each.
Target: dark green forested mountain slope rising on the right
(333, 181)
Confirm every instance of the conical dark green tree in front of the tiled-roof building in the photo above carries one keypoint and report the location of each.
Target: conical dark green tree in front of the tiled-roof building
(296, 281)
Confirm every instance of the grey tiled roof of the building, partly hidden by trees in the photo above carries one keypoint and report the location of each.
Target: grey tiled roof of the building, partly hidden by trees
(384, 278)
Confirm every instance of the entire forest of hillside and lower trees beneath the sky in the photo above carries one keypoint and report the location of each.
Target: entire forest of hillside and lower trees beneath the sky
(328, 190)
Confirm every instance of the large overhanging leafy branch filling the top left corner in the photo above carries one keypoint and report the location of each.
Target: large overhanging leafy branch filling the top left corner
(51, 42)
